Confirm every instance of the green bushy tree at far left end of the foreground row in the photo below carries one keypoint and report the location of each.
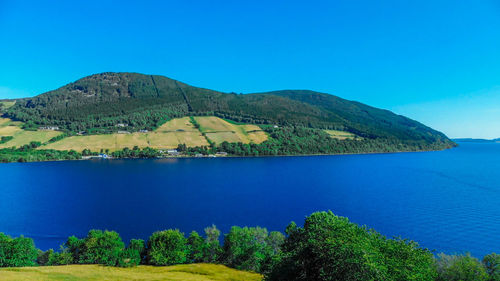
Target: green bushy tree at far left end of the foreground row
(19, 251)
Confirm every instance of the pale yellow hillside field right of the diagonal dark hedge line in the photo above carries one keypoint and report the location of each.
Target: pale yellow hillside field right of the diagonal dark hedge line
(219, 130)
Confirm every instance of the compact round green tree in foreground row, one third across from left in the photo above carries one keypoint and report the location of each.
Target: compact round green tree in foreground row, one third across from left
(167, 247)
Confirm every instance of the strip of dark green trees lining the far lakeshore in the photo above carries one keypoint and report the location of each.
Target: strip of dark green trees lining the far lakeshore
(282, 141)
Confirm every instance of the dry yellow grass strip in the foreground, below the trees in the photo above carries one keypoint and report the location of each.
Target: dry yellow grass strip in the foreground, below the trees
(193, 272)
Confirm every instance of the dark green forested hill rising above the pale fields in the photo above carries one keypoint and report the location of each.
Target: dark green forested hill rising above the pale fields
(98, 102)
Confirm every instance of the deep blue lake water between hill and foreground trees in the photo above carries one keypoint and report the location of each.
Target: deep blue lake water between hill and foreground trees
(448, 201)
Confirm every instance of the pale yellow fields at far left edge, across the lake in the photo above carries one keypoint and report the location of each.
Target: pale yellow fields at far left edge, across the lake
(22, 137)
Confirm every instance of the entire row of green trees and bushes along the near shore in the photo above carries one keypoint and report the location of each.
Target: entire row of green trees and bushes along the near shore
(327, 247)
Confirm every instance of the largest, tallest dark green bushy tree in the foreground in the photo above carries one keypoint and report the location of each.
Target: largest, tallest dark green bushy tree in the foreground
(329, 247)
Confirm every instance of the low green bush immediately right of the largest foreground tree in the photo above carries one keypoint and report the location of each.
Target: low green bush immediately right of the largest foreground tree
(460, 268)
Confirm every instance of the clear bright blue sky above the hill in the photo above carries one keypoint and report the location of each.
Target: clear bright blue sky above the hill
(434, 61)
